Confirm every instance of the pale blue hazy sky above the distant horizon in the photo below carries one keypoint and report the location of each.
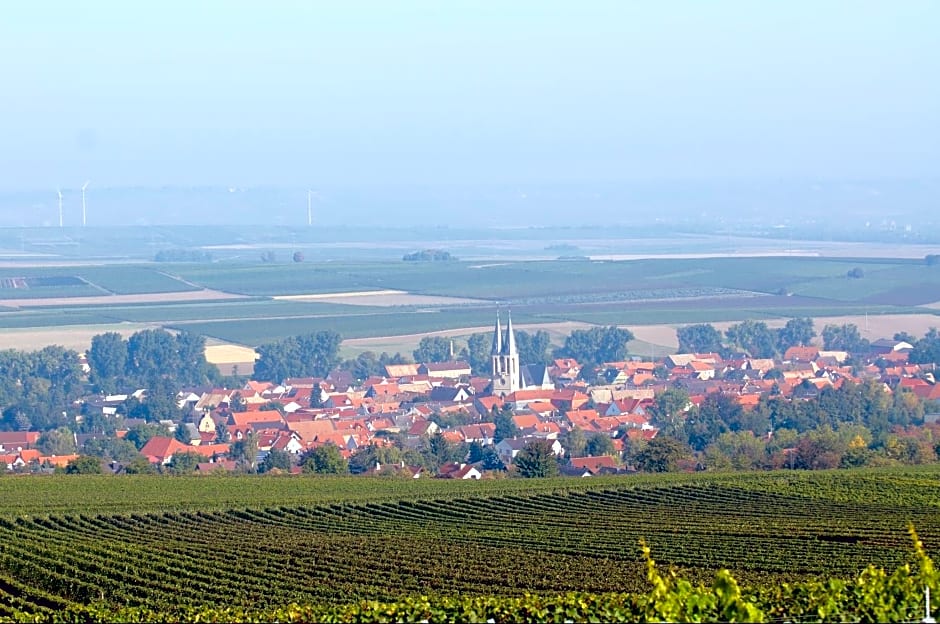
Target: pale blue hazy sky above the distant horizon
(302, 92)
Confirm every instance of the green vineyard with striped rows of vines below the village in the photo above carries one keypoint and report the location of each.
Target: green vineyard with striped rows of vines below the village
(338, 548)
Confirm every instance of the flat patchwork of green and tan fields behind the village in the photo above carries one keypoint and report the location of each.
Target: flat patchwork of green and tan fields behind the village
(251, 303)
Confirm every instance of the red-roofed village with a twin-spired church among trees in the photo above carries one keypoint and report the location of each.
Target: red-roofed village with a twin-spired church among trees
(481, 422)
